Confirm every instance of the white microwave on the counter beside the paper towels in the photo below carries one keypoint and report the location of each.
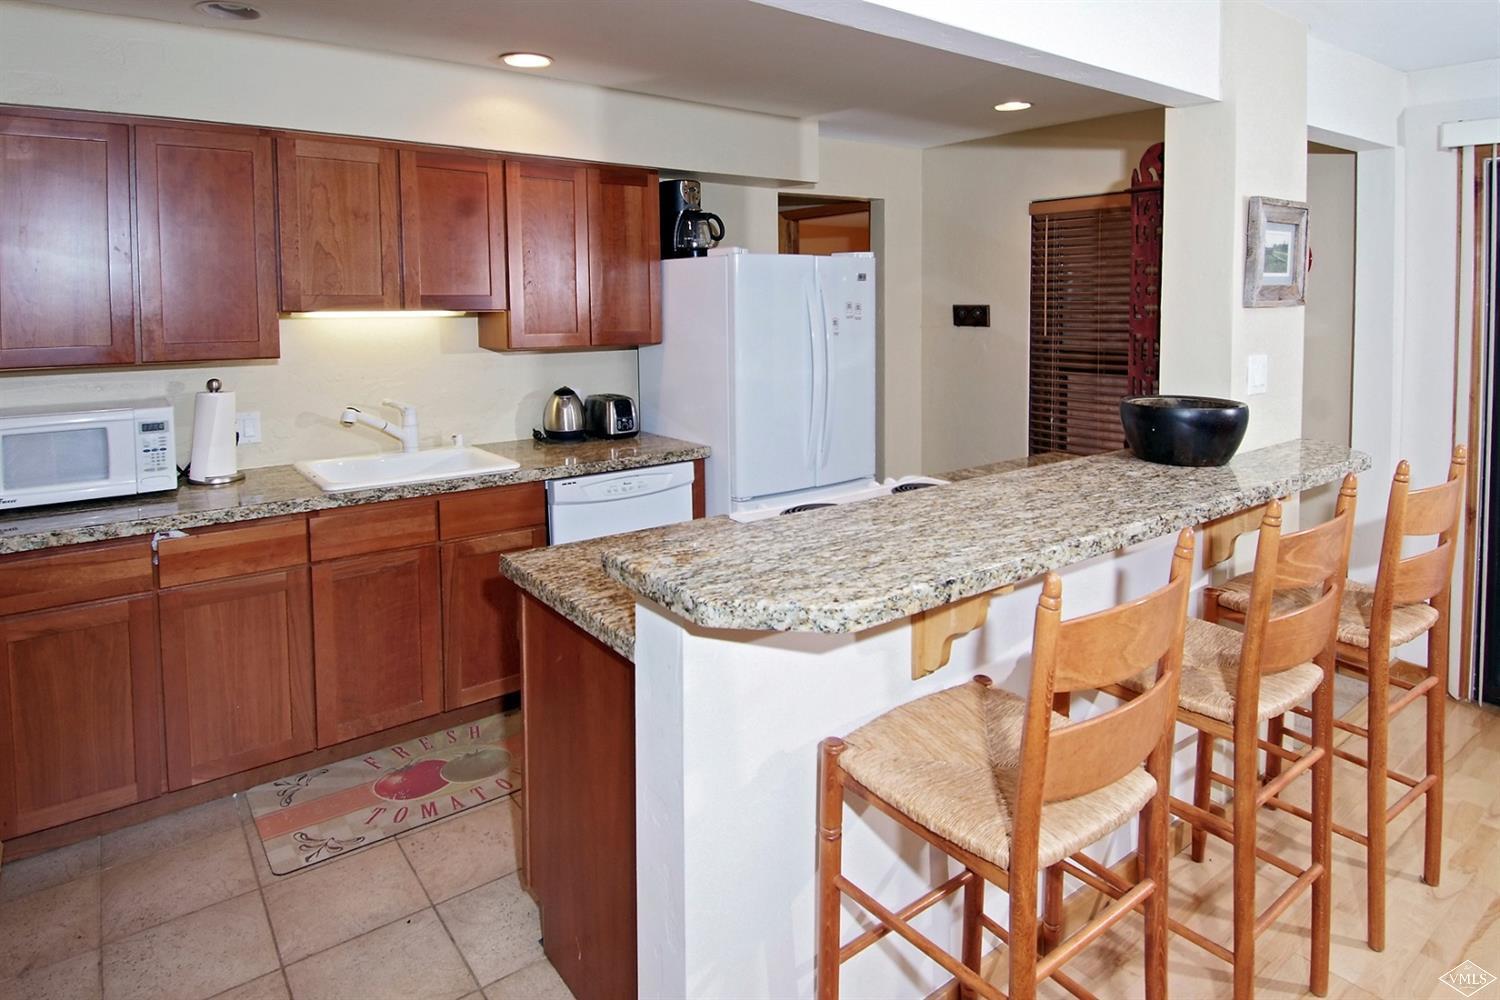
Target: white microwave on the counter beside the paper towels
(56, 455)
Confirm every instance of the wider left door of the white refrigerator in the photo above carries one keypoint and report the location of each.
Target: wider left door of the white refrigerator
(778, 359)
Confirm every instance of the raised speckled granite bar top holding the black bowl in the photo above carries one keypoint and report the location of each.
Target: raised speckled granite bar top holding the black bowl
(854, 567)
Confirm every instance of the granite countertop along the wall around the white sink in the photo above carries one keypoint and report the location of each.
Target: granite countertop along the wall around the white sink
(275, 491)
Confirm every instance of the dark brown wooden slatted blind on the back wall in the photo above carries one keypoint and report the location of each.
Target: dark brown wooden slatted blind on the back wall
(1081, 302)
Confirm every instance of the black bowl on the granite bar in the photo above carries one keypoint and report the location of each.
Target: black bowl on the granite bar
(1184, 430)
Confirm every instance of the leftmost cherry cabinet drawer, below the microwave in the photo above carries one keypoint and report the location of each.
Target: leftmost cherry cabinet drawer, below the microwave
(74, 575)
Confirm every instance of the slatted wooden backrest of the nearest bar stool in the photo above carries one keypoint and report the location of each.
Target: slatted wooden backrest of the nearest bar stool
(1093, 653)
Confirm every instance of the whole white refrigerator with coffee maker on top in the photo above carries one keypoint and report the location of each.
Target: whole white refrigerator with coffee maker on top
(769, 359)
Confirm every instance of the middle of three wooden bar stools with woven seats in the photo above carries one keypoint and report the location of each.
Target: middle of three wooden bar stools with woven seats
(1232, 683)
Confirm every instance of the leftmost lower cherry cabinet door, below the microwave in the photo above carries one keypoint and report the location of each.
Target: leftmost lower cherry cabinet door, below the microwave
(80, 713)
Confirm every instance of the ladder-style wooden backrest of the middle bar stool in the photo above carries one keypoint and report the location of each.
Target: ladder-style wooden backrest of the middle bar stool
(1313, 558)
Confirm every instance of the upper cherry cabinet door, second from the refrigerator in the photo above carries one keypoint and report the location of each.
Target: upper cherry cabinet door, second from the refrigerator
(547, 232)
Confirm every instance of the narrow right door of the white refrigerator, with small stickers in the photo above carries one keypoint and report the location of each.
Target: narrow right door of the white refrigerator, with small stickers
(847, 452)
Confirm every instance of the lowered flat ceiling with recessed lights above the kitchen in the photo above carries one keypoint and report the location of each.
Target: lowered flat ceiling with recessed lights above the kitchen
(730, 53)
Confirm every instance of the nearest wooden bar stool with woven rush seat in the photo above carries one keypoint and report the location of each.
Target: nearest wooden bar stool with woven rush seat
(1007, 788)
